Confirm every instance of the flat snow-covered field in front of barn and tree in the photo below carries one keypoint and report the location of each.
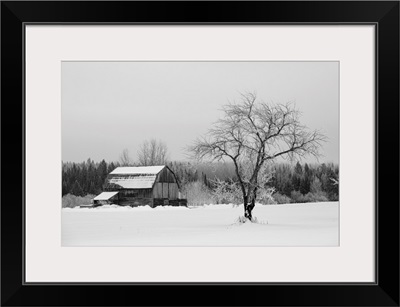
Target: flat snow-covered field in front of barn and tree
(312, 224)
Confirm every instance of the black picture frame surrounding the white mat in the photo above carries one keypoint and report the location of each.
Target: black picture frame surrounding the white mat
(383, 14)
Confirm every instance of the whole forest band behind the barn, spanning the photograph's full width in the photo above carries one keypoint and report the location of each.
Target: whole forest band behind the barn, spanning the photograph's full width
(292, 183)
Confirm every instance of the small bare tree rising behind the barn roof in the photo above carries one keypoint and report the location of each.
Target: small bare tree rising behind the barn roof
(152, 152)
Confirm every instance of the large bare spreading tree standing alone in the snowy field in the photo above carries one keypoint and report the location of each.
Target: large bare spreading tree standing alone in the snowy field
(253, 133)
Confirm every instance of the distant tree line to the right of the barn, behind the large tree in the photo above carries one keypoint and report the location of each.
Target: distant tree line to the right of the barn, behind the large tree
(291, 183)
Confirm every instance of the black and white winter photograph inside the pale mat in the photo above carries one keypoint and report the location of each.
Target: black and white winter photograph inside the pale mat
(200, 153)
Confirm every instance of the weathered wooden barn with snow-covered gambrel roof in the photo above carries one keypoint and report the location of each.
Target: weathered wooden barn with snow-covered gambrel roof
(140, 186)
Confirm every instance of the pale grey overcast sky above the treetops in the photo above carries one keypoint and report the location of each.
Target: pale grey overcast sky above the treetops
(109, 106)
